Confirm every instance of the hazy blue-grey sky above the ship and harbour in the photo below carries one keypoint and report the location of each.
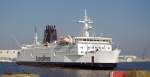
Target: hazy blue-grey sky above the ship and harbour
(126, 21)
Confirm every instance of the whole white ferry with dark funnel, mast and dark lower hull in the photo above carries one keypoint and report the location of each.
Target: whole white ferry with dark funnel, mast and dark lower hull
(69, 51)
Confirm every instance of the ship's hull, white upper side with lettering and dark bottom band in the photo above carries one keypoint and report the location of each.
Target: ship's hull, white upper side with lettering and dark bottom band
(45, 57)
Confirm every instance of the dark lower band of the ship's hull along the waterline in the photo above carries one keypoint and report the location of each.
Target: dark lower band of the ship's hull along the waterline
(102, 66)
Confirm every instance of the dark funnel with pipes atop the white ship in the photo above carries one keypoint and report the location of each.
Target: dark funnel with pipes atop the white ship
(50, 34)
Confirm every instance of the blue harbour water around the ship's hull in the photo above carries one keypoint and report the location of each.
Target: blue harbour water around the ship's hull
(69, 72)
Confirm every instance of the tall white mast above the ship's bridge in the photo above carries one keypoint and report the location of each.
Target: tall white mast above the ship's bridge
(87, 26)
